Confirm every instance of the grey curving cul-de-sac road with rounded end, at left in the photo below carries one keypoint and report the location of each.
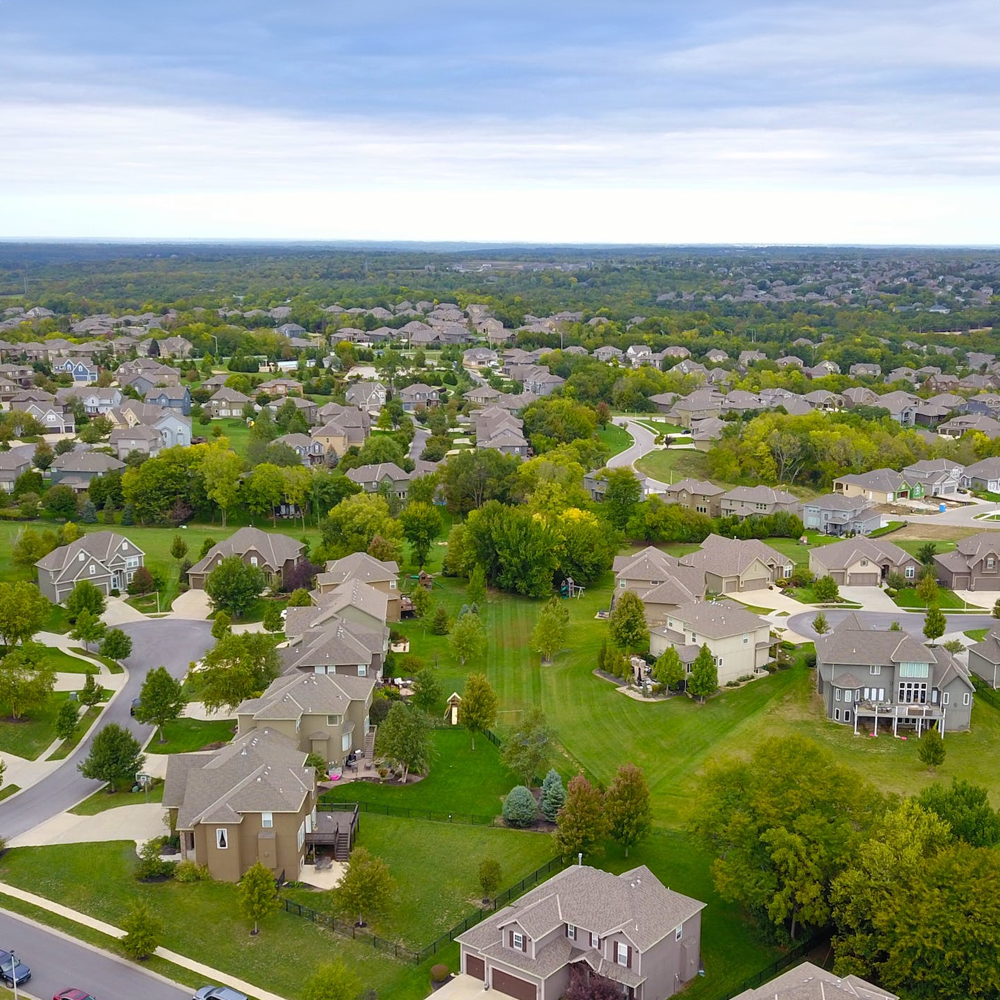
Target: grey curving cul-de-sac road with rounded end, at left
(172, 643)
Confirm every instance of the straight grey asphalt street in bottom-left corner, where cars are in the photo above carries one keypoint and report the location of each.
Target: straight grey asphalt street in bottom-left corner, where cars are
(57, 964)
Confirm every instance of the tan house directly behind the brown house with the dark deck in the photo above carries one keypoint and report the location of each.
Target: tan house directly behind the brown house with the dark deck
(325, 714)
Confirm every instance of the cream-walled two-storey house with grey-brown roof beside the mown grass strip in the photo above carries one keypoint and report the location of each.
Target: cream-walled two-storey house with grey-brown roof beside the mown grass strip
(739, 640)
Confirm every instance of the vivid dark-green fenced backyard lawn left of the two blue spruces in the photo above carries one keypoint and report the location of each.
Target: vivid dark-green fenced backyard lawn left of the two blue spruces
(460, 780)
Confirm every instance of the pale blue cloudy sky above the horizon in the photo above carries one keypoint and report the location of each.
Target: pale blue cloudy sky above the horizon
(620, 121)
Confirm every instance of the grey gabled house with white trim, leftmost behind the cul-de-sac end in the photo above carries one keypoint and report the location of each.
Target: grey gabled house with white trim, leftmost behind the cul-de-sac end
(106, 559)
